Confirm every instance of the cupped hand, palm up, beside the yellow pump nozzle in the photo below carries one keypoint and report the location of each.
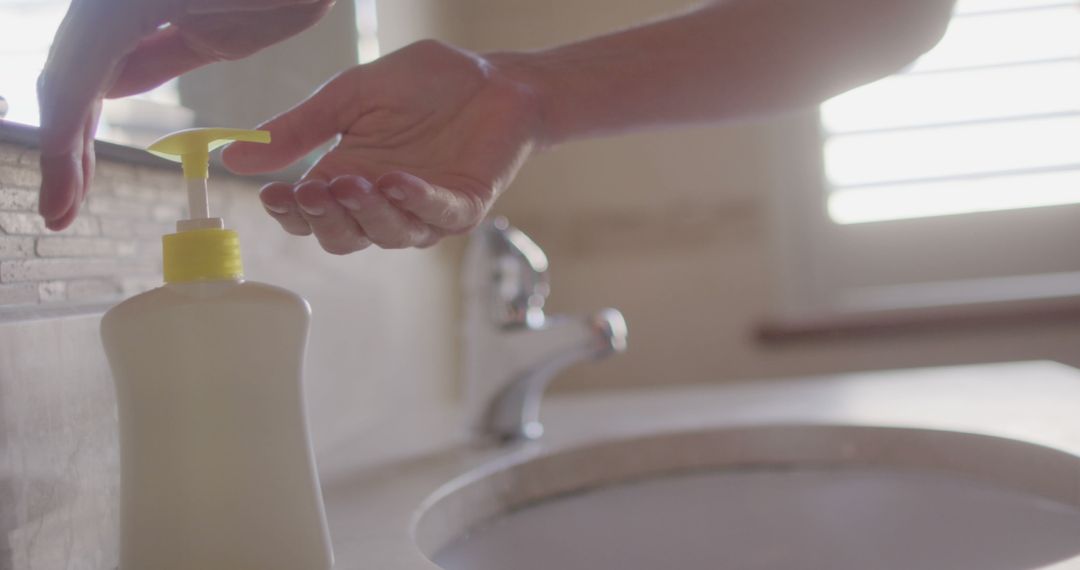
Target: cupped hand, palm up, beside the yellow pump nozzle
(429, 138)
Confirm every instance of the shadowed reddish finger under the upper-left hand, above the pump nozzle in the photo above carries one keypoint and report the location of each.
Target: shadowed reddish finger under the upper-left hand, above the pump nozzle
(158, 59)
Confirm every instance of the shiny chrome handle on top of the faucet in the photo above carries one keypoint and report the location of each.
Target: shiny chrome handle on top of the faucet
(522, 283)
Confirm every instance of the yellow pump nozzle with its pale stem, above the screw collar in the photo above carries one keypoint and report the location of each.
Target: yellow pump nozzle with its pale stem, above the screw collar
(192, 148)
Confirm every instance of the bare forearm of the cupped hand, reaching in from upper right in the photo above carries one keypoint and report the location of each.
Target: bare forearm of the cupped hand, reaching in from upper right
(726, 60)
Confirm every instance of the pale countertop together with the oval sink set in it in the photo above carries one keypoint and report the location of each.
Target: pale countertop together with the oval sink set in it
(974, 468)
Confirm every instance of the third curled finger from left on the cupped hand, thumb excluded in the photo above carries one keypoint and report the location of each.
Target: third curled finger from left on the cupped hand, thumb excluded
(384, 224)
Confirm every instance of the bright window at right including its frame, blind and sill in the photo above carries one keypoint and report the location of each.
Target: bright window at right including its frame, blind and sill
(955, 182)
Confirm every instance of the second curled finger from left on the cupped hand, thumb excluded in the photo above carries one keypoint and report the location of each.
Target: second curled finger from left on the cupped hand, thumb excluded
(335, 229)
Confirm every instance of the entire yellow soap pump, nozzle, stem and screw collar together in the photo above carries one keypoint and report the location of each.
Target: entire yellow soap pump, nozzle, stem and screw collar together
(202, 250)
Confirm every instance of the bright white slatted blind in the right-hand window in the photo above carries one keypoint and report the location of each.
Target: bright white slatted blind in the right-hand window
(988, 120)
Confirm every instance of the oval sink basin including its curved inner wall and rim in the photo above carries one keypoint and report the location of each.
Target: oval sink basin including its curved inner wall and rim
(795, 497)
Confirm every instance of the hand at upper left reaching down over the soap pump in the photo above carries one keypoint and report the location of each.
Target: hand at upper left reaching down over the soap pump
(118, 48)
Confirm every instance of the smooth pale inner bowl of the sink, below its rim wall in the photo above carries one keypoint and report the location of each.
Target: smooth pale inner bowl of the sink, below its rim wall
(806, 519)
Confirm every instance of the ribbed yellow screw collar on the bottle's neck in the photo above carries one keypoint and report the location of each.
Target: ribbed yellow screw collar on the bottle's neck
(202, 255)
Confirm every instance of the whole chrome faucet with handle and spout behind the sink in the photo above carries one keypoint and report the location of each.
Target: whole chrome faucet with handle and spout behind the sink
(514, 350)
